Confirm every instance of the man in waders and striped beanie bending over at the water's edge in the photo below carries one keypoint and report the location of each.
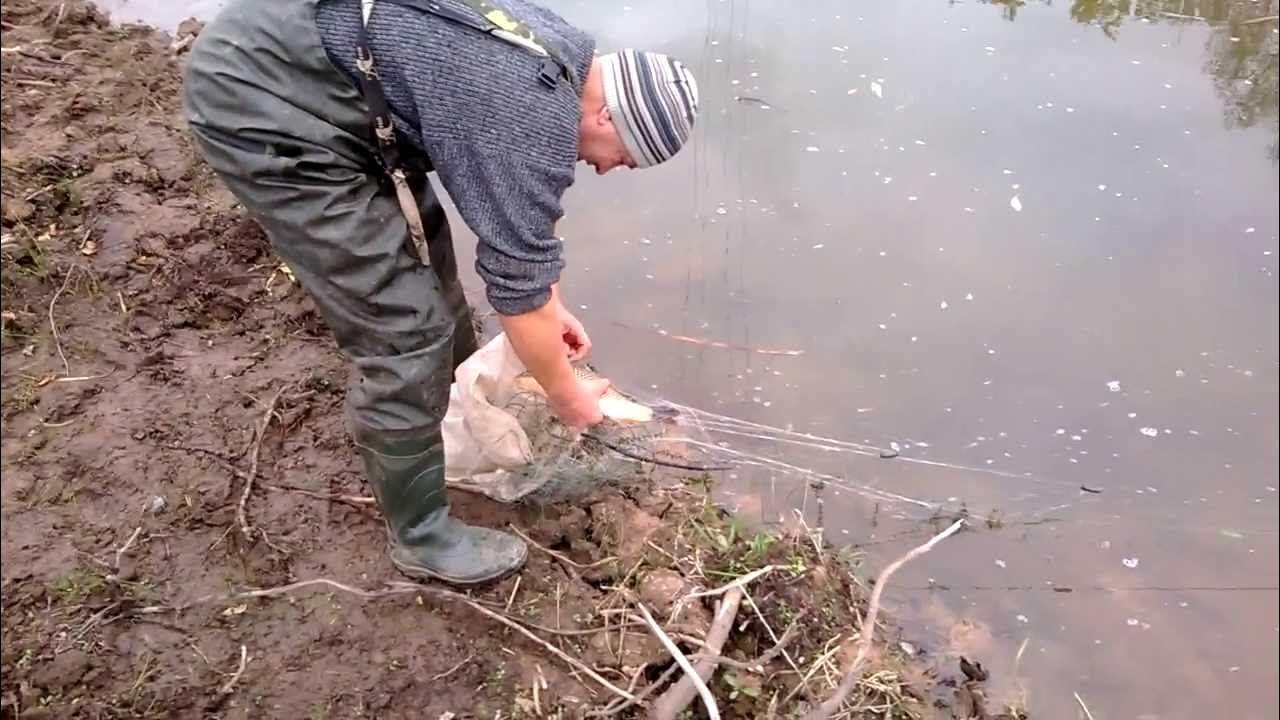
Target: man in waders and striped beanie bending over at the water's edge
(323, 117)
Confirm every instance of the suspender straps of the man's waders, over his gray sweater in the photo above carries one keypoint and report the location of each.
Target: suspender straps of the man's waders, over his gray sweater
(499, 24)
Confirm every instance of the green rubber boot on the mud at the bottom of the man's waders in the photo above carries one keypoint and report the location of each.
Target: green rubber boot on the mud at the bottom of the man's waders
(406, 472)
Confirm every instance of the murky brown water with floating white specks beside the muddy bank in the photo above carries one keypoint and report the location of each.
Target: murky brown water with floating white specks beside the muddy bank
(851, 195)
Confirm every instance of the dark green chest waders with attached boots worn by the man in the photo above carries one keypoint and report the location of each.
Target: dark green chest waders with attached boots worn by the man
(317, 165)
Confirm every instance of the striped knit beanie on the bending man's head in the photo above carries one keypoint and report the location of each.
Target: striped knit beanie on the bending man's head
(653, 102)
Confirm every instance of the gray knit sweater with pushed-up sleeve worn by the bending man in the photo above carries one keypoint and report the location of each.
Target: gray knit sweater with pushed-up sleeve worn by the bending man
(502, 143)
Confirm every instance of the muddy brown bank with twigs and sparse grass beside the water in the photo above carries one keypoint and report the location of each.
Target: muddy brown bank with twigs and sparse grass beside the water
(148, 327)
